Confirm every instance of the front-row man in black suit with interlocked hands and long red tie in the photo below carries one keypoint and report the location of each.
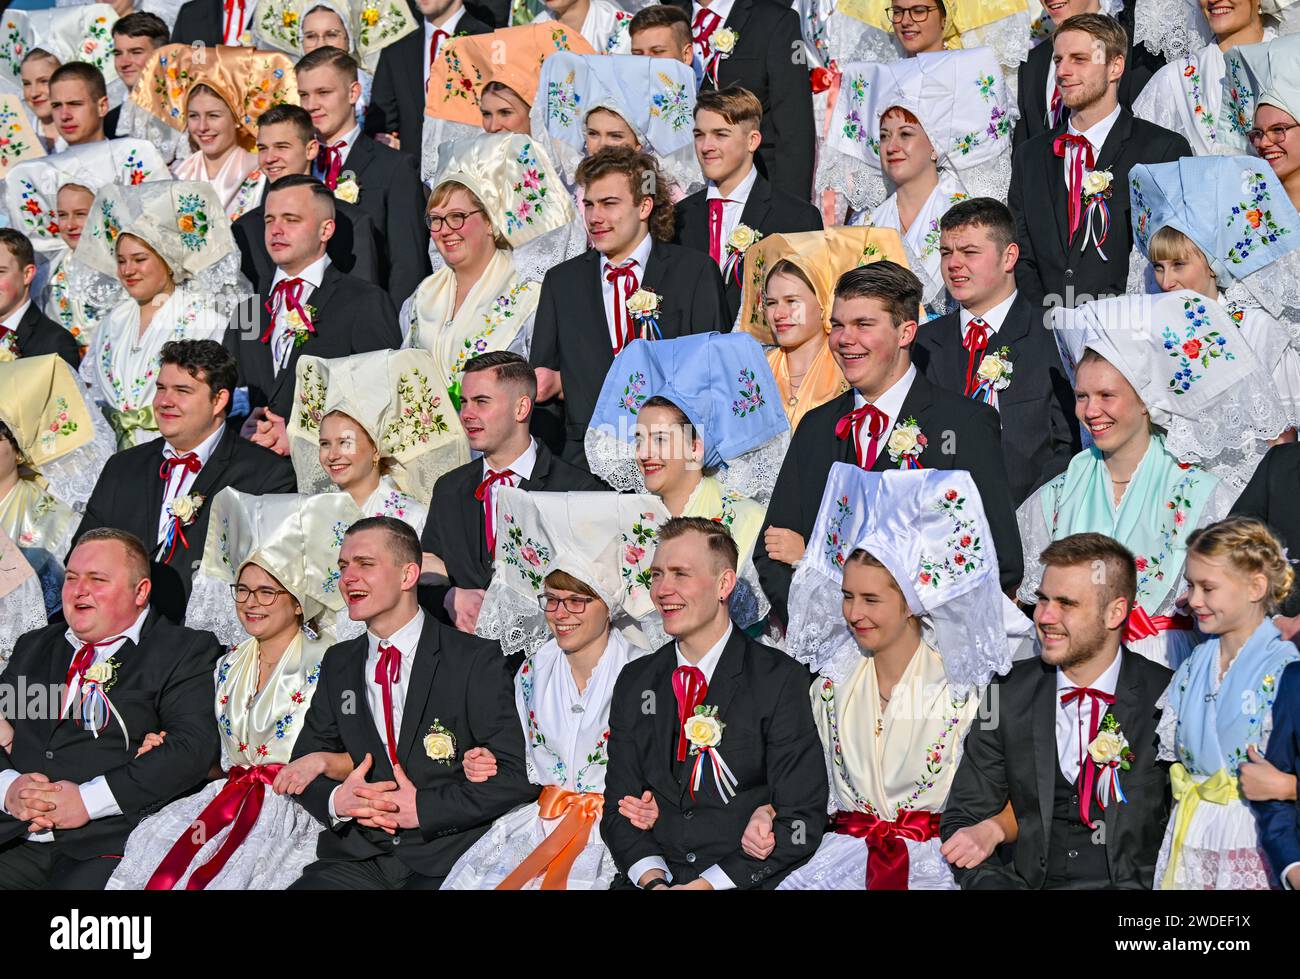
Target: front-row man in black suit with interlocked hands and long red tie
(452, 692)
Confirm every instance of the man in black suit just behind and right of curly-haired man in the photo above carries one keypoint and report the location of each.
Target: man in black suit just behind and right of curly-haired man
(727, 137)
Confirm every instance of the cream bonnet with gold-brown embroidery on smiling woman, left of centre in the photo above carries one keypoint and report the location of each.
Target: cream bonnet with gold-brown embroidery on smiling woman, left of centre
(398, 397)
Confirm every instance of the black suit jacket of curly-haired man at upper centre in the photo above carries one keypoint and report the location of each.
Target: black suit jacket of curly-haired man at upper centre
(571, 333)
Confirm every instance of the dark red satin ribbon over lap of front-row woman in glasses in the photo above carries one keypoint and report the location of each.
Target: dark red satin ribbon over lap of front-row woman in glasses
(240, 803)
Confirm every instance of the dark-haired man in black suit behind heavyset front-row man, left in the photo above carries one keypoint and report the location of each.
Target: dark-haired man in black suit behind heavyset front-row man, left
(151, 489)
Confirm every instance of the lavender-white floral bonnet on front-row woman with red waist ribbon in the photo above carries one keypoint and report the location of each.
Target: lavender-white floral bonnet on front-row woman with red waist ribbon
(929, 529)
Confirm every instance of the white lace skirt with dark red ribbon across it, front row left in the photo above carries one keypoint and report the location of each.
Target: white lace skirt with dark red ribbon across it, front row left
(272, 857)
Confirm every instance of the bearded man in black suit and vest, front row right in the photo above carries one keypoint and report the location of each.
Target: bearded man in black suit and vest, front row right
(1030, 744)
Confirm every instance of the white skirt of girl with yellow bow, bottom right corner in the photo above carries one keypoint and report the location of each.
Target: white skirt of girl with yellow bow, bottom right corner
(1221, 851)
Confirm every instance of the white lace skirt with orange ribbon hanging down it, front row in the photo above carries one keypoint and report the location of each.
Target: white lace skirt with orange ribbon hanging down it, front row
(512, 839)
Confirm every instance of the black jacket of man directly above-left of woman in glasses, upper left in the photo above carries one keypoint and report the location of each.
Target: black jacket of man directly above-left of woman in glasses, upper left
(393, 197)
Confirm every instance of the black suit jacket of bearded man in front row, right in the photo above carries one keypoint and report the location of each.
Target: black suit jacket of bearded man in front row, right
(1012, 757)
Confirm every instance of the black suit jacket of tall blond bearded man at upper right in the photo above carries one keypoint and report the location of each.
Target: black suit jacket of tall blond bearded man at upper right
(1051, 266)
